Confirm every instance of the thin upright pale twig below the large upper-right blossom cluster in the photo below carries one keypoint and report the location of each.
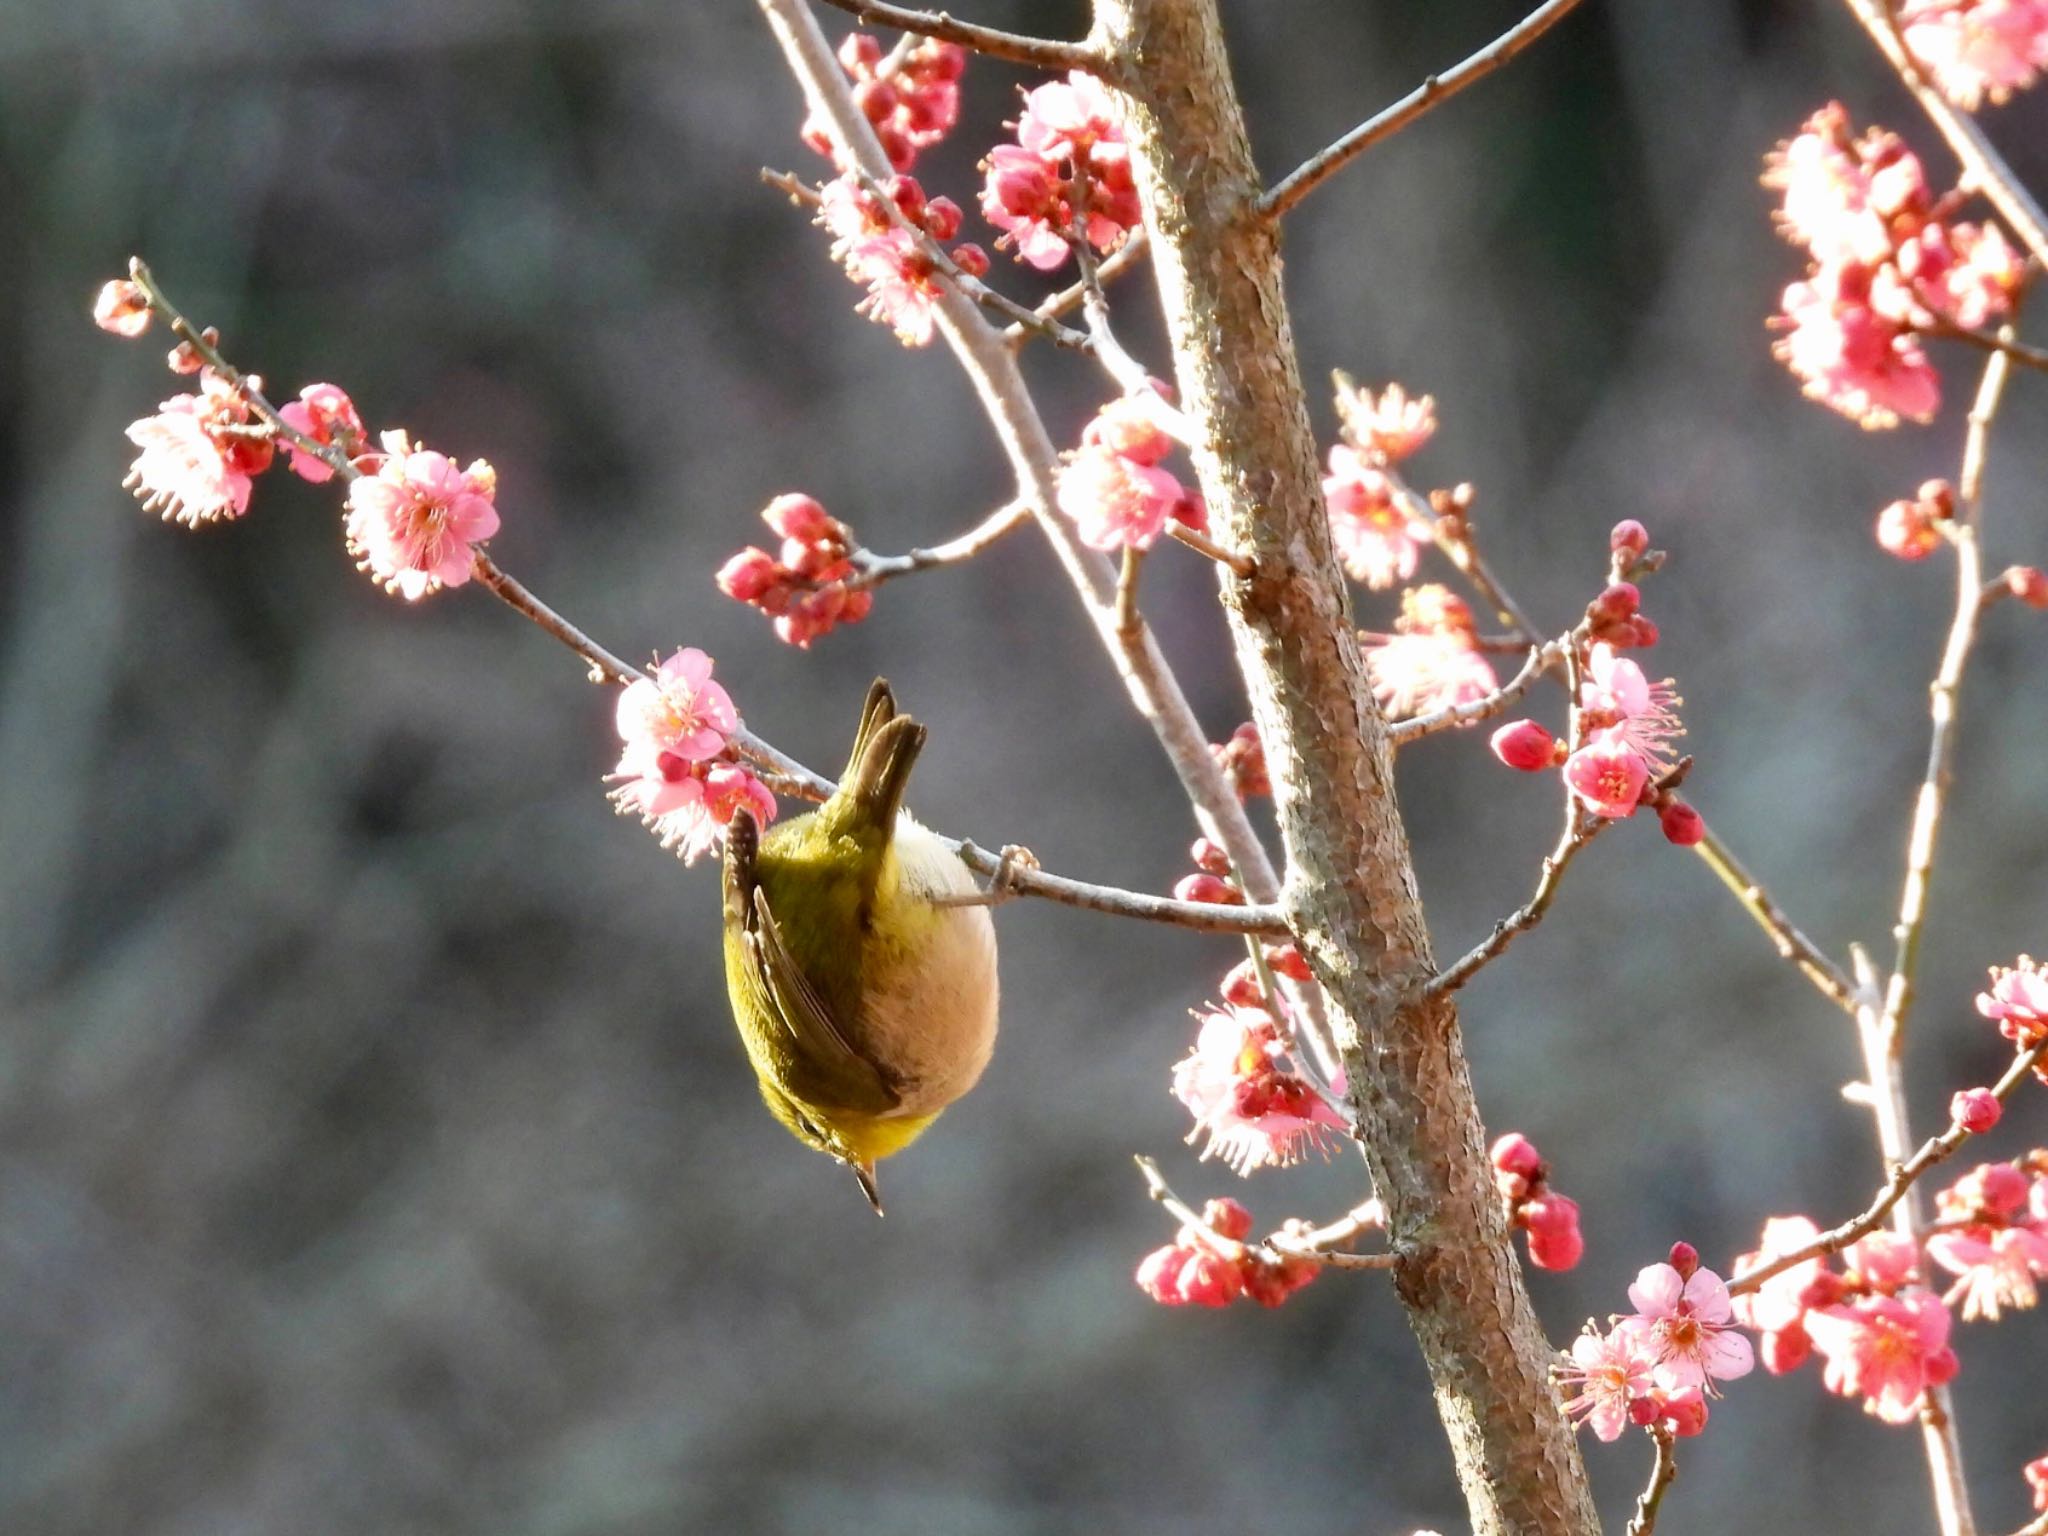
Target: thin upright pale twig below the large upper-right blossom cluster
(1943, 701)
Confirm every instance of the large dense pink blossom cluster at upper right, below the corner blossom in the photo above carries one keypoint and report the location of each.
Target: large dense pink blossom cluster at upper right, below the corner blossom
(1887, 263)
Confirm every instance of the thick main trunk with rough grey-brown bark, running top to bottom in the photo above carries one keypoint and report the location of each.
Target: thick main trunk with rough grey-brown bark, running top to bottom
(1351, 880)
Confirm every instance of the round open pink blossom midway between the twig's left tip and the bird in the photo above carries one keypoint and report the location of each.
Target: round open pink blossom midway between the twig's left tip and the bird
(413, 523)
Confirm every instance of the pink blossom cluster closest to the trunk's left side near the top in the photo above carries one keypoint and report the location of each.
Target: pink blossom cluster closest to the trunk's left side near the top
(1070, 155)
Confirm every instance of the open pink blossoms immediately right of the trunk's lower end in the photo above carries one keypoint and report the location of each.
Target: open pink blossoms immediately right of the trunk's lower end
(1658, 1365)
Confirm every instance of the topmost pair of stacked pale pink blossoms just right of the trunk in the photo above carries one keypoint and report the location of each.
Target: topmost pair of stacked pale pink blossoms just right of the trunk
(1375, 525)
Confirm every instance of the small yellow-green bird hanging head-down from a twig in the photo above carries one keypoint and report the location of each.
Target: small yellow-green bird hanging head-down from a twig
(863, 980)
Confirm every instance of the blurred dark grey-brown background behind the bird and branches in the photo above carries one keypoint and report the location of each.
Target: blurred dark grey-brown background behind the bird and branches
(376, 1150)
